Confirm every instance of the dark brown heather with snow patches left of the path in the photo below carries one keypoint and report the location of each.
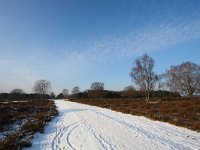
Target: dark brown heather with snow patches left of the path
(30, 117)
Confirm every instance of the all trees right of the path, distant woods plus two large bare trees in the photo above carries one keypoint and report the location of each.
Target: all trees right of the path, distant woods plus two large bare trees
(182, 79)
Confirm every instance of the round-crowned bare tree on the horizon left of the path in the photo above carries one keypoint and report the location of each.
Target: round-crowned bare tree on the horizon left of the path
(42, 87)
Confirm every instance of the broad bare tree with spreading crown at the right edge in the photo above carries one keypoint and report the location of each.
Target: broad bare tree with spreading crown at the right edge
(184, 78)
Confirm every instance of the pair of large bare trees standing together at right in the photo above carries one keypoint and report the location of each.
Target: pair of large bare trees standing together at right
(184, 78)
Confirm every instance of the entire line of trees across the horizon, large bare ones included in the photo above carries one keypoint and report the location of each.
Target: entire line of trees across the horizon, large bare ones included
(183, 79)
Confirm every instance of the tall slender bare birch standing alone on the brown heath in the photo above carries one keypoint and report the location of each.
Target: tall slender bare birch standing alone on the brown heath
(143, 76)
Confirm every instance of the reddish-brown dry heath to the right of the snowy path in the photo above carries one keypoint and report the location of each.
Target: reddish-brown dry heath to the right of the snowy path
(184, 112)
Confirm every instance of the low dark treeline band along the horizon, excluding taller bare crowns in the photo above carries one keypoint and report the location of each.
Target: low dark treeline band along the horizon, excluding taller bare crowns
(89, 94)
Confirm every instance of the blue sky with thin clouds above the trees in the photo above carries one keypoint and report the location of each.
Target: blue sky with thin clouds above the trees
(76, 42)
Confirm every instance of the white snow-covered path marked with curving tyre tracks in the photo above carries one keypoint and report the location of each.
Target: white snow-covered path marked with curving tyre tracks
(86, 127)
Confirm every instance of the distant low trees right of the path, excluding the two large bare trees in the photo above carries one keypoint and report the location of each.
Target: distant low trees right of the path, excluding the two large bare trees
(97, 91)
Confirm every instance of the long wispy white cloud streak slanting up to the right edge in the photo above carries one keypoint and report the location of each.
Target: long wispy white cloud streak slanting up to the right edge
(155, 36)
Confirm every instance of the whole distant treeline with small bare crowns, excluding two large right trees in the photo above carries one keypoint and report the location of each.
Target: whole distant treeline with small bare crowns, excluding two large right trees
(96, 91)
